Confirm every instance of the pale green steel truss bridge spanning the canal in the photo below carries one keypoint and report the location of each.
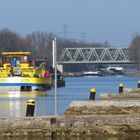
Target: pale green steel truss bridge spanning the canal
(96, 56)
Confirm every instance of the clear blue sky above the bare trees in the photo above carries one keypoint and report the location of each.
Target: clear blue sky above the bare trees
(115, 21)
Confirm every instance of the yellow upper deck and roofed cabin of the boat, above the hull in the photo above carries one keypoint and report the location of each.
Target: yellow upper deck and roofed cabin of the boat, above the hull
(17, 64)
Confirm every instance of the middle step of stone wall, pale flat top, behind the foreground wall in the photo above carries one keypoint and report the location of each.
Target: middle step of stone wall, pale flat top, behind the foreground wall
(104, 107)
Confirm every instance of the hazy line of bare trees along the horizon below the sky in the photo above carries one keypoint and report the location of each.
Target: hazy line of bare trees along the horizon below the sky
(39, 43)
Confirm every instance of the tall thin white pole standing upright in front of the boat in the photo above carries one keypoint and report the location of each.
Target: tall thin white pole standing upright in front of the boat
(55, 68)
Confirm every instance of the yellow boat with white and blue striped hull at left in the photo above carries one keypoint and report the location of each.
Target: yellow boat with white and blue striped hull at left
(16, 74)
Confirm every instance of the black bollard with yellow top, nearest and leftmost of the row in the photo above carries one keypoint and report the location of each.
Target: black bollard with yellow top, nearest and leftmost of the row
(30, 108)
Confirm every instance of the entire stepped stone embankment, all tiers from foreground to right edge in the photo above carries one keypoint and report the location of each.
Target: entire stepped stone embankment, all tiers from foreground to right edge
(115, 114)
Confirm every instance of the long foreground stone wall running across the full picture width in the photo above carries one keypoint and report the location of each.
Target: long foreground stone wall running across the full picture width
(70, 126)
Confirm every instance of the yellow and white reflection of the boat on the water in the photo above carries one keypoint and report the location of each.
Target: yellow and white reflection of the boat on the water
(13, 104)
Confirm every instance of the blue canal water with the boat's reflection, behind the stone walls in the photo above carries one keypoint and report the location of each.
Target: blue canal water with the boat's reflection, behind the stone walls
(13, 104)
